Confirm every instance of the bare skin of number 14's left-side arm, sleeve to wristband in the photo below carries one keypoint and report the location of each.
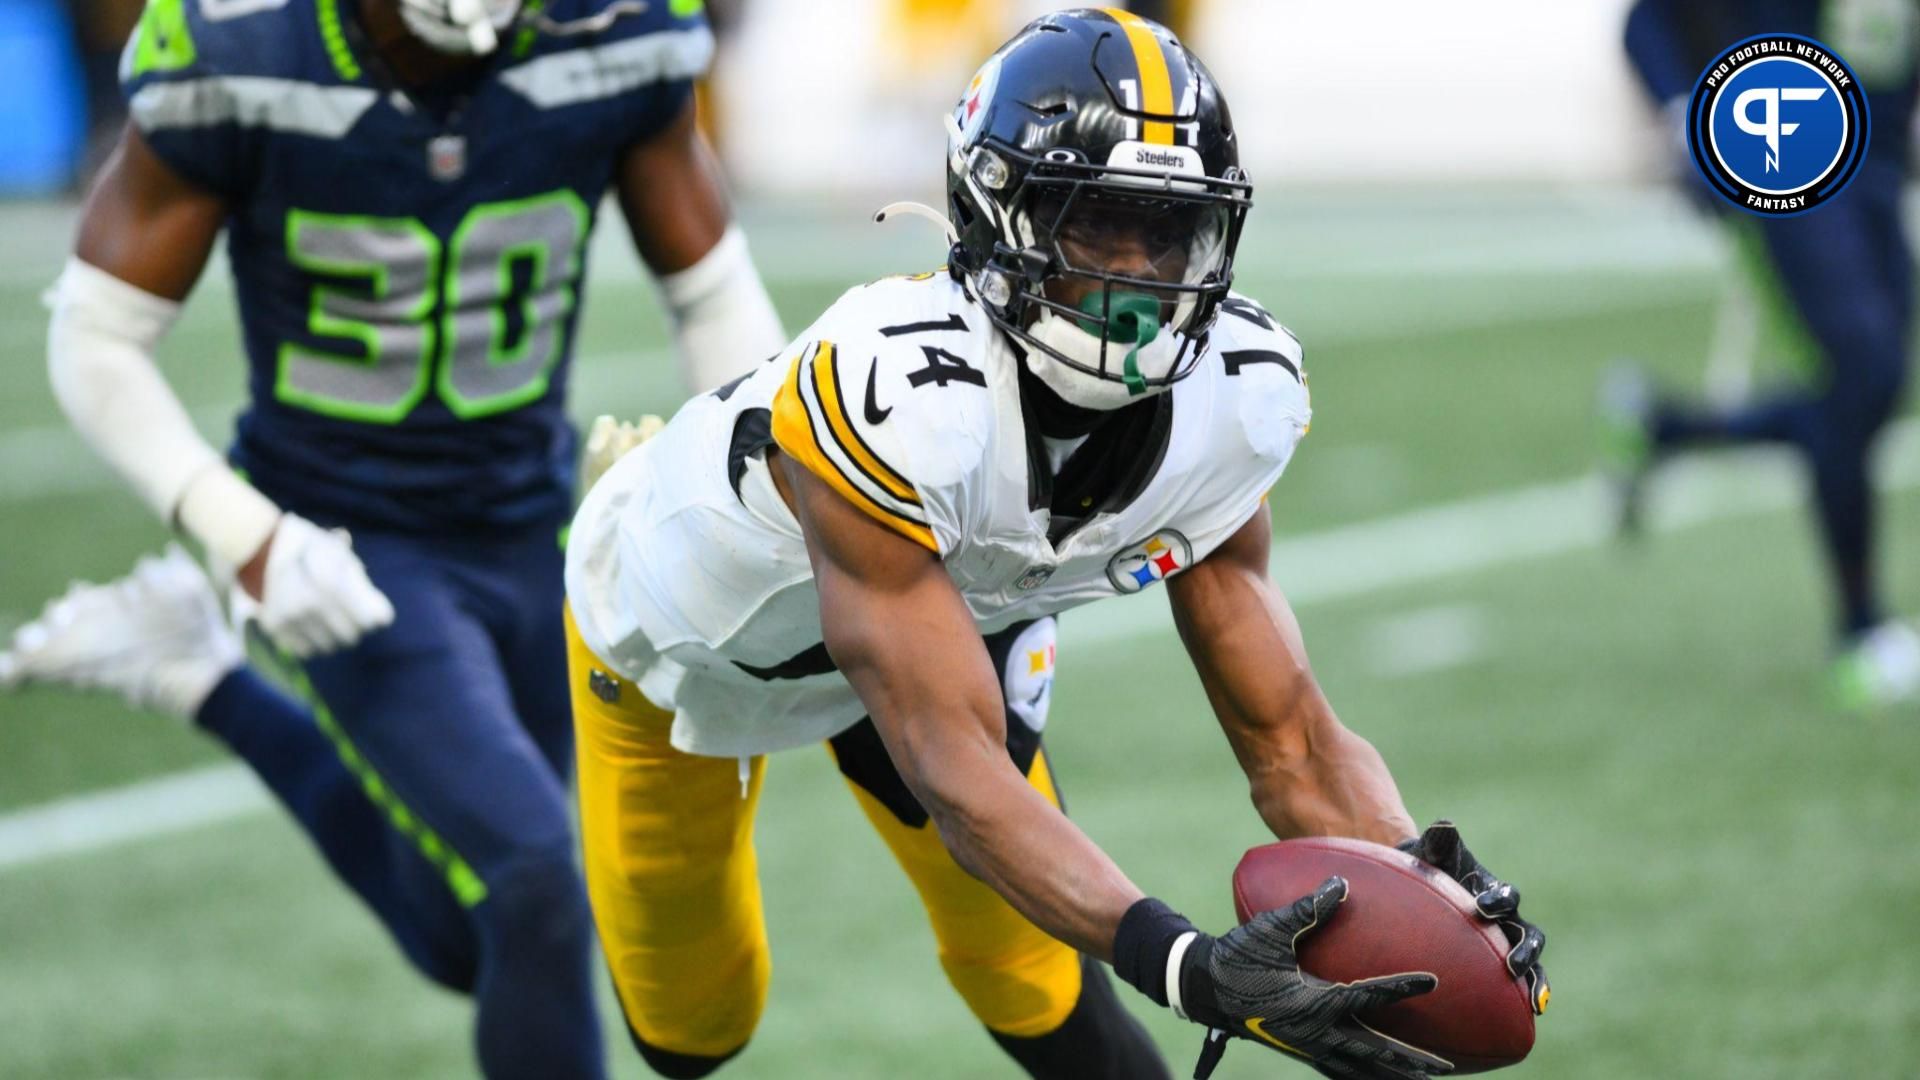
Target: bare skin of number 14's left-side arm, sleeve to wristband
(900, 631)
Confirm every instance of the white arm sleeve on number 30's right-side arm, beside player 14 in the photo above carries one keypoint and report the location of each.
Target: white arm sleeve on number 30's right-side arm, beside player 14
(725, 324)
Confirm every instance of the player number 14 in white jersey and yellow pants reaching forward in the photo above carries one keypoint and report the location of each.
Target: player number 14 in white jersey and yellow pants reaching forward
(867, 541)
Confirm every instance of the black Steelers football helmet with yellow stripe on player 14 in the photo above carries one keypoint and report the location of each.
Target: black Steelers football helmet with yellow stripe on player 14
(1095, 187)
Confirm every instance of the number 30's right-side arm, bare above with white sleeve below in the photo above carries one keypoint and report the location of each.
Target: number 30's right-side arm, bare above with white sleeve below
(677, 207)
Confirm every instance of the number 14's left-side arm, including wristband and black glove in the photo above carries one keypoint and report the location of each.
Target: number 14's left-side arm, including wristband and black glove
(903, 637)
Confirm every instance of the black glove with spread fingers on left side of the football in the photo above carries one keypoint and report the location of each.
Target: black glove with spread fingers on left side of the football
(1249, 985)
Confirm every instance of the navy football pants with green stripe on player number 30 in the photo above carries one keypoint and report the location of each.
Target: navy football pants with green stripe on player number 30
(433, 775)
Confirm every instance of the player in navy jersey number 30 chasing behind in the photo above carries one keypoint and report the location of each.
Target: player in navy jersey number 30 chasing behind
(408, 189)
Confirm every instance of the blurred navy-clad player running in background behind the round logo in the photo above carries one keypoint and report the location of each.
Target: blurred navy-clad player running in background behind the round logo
(1846, 272)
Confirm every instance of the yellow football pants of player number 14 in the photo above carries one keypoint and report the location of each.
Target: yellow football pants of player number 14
(677, 893)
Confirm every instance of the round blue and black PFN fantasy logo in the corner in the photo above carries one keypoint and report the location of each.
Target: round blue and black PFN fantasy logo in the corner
(1779, 126)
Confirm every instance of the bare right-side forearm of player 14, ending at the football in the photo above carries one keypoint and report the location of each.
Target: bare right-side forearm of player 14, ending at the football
(1308, 773)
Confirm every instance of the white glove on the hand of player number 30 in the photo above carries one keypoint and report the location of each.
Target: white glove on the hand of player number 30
(316, 597)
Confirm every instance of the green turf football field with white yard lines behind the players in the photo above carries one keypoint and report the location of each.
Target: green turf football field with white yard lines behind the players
(1725, 870)
